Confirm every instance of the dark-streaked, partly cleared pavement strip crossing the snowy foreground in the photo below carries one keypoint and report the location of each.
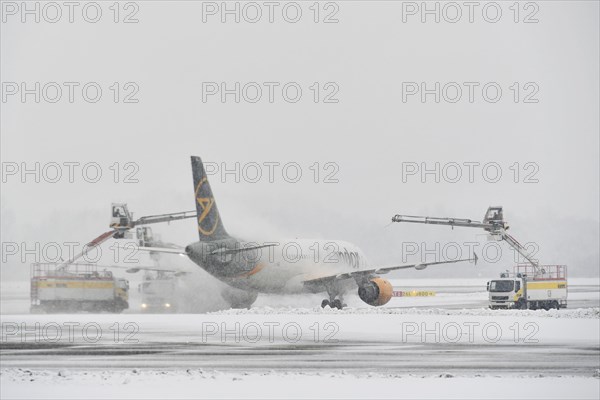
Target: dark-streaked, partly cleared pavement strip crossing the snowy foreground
(349, 356)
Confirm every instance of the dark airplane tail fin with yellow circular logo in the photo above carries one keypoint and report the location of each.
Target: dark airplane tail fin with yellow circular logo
(210, 225)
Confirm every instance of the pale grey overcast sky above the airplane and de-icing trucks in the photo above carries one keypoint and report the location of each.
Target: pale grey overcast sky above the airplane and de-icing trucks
(536, 122)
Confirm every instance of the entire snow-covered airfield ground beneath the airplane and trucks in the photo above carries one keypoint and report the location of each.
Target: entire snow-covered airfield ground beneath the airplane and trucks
(449, 345)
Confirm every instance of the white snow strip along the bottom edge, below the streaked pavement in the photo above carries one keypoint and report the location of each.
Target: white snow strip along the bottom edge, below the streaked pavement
(195, 383)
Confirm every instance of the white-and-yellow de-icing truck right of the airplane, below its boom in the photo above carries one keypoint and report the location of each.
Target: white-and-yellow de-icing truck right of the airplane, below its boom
(530, 287)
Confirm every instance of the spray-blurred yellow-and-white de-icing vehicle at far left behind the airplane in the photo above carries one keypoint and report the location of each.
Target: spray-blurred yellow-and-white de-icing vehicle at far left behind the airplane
(77, 287)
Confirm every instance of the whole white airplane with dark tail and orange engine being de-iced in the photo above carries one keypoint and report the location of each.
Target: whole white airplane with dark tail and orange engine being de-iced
(312, 266)
